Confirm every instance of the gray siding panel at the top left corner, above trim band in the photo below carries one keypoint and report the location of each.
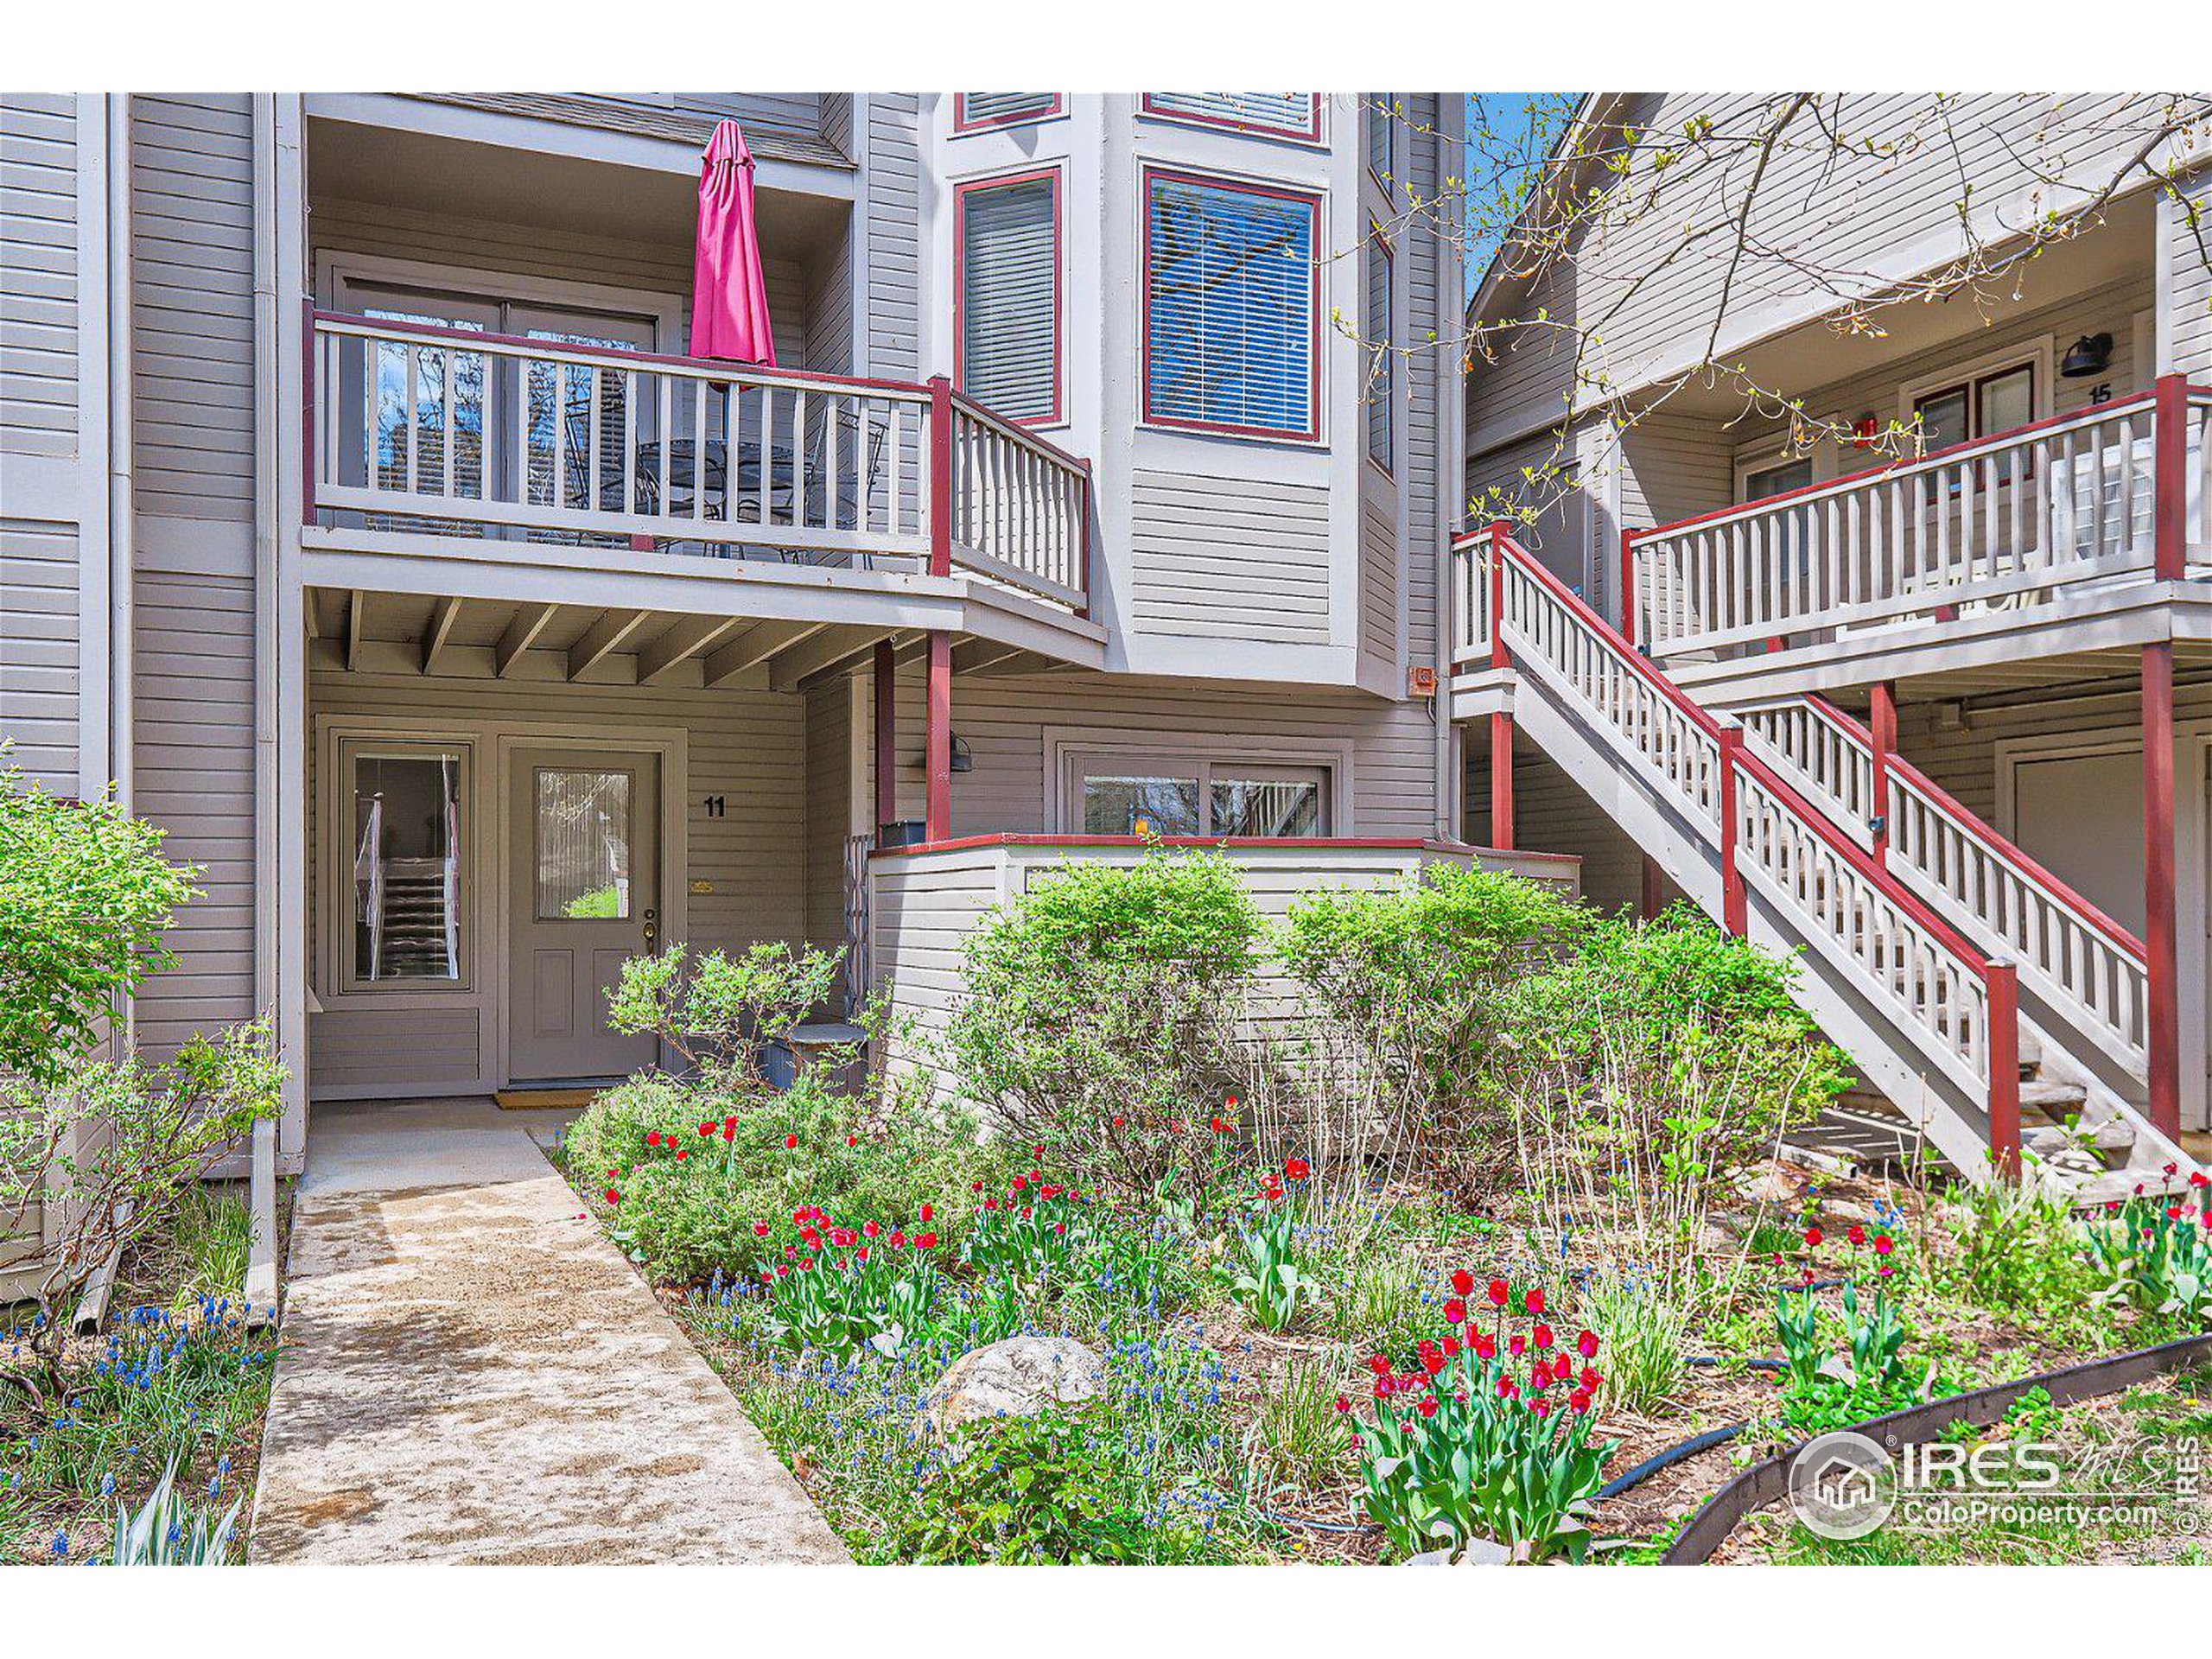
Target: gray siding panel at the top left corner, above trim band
(39, 273)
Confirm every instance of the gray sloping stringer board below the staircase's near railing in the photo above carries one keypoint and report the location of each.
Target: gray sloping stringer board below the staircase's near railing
(1687, 848)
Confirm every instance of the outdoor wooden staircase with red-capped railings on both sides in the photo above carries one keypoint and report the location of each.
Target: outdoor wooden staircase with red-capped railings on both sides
(1999, 1058)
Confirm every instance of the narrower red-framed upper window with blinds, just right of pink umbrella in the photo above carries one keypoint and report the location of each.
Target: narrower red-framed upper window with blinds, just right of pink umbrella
(1010, 295)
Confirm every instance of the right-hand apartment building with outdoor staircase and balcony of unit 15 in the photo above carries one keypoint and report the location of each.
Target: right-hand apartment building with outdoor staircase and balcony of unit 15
(1939, 722)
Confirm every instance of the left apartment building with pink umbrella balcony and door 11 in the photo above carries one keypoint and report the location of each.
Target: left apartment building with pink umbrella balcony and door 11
(371, 530)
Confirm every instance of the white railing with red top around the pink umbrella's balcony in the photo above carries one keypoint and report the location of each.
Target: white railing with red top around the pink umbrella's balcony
(439, 430)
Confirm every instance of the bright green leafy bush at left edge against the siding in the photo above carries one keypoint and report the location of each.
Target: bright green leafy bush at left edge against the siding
(85, 899)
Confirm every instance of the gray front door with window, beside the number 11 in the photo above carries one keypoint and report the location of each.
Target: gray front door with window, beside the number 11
(585, 899)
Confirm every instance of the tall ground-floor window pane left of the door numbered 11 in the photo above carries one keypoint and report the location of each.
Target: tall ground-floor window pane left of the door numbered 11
(406, 837)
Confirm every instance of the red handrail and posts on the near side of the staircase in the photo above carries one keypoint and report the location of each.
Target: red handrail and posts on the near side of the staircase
(2001, 988)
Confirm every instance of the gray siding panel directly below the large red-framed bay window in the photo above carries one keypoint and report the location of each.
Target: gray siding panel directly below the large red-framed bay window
(1229, 559)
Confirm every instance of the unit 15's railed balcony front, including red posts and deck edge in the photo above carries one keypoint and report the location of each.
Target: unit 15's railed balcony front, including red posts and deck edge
(1972, 547)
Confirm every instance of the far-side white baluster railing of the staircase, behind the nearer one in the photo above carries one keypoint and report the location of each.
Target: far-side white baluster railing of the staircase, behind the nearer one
(2083, 963)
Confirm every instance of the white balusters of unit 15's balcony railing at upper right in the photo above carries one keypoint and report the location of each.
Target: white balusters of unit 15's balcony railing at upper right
(2003, 523)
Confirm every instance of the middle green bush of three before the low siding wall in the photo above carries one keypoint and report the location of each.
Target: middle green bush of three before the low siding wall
(1419, 977)
